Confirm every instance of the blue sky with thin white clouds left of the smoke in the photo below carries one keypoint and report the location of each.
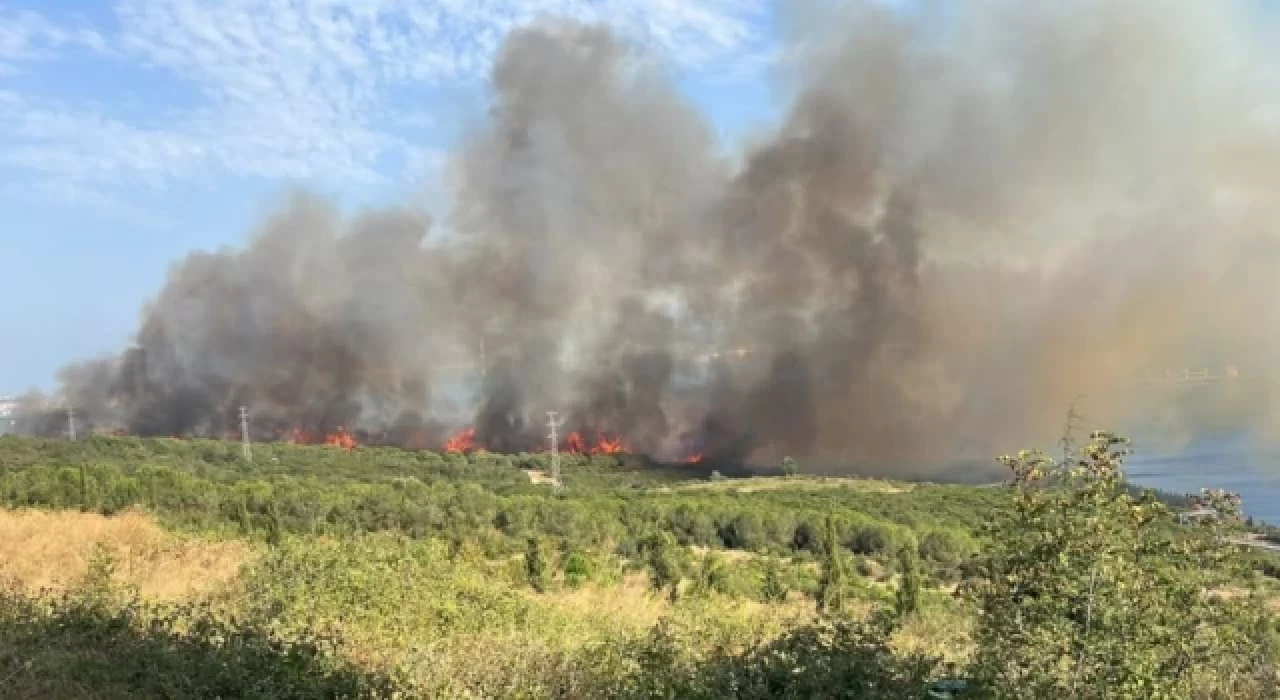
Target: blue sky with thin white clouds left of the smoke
(136, 131)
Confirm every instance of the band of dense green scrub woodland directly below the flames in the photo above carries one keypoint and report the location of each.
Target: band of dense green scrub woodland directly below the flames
(322, 491)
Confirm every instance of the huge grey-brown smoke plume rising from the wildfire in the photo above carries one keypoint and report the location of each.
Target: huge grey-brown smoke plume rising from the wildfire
(964, 223)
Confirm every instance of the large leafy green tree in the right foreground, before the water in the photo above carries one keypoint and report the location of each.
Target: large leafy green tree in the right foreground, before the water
(1090, 592)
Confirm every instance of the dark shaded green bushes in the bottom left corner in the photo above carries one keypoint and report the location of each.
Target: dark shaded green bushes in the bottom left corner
(61, 647)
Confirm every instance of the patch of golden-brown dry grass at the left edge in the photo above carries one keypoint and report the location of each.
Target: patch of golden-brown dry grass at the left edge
(52, 550)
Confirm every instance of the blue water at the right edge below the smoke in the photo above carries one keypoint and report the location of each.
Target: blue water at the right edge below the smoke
(1233, 463)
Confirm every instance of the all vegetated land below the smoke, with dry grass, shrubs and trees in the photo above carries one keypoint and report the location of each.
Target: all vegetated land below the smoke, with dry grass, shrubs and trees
(321, 571)
